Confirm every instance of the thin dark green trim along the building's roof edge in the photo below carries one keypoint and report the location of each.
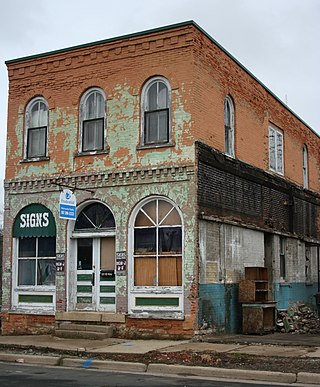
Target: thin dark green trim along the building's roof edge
(159, 29)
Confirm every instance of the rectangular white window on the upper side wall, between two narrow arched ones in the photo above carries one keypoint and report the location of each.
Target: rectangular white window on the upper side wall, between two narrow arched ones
(276, 150)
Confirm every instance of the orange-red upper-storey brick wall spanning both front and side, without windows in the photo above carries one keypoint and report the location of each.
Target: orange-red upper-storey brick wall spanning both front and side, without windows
(201, 75)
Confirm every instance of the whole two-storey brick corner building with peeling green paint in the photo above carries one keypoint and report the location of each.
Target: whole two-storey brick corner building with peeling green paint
(186, 169)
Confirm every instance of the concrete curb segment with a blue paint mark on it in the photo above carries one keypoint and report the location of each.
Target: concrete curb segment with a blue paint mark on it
(104, 364)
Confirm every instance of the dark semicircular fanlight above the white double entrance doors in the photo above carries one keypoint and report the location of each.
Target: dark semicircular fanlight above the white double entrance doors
(95, 216)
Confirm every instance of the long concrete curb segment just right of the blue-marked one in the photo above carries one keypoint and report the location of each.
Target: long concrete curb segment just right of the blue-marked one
(213, 372)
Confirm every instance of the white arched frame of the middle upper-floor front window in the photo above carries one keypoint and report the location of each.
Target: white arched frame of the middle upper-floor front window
(82, 119)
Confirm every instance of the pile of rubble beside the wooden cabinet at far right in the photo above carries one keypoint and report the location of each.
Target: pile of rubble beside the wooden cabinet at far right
(299, 318)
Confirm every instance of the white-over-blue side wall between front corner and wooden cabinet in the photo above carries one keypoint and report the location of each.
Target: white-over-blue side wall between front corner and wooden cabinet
(225, 250)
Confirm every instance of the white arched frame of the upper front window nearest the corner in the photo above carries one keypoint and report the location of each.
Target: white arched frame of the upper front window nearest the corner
(144, 109)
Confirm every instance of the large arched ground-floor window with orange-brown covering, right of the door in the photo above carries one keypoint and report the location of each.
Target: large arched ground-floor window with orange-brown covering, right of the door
(157, 250)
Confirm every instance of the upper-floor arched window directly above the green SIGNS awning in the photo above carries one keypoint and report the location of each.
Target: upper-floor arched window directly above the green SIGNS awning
(36, 123)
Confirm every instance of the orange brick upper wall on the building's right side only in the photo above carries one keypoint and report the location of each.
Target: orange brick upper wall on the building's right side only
(217, 75)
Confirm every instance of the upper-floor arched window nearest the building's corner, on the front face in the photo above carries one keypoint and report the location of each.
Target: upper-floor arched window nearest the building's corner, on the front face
(156, 112)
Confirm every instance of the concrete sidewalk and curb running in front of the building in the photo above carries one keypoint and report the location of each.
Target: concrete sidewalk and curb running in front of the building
(80, 353)
